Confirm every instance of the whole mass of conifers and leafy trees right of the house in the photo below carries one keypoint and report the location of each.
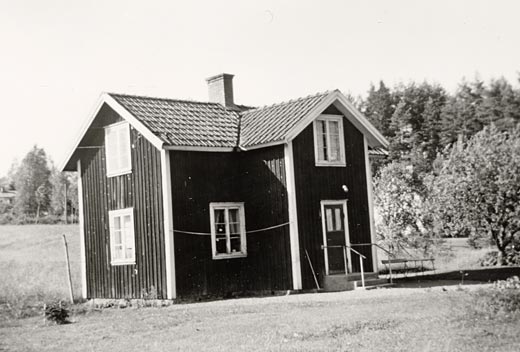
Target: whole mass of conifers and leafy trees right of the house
(453, 167)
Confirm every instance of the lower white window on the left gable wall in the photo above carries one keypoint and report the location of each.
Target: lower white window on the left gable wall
(122, 241)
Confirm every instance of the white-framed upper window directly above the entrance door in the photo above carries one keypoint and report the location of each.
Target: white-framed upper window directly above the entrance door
(329, 146)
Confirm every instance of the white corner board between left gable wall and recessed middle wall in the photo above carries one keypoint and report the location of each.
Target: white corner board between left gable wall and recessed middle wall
(169, 246)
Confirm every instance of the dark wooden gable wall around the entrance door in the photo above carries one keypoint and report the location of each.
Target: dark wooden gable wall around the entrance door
(314, 184)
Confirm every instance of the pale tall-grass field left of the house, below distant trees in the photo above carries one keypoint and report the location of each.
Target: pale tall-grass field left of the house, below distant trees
(32, 264)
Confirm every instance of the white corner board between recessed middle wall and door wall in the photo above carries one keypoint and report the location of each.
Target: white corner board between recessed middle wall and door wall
(293, 218)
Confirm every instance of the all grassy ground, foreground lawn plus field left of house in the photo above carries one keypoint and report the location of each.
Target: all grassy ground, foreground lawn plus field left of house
(443, 316)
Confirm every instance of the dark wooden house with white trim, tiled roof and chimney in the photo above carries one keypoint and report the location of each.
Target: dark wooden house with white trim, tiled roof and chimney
(181, 198)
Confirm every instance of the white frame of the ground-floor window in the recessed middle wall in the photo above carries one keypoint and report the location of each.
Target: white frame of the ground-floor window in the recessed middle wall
(241, 214)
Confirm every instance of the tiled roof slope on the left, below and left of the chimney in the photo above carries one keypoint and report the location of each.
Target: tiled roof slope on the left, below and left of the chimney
(184, 123)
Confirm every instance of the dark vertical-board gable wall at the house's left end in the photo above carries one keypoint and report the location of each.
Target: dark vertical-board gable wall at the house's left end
(142, 190)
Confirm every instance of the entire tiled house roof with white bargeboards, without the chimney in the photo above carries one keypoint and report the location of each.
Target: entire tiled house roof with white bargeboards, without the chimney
(189, 125)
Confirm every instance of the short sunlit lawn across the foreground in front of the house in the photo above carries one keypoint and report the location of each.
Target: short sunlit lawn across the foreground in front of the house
(379, 320)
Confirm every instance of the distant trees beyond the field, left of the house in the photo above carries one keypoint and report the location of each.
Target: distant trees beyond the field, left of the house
(43, 194)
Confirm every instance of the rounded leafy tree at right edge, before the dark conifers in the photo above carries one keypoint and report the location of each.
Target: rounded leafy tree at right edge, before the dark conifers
(476, 190)
